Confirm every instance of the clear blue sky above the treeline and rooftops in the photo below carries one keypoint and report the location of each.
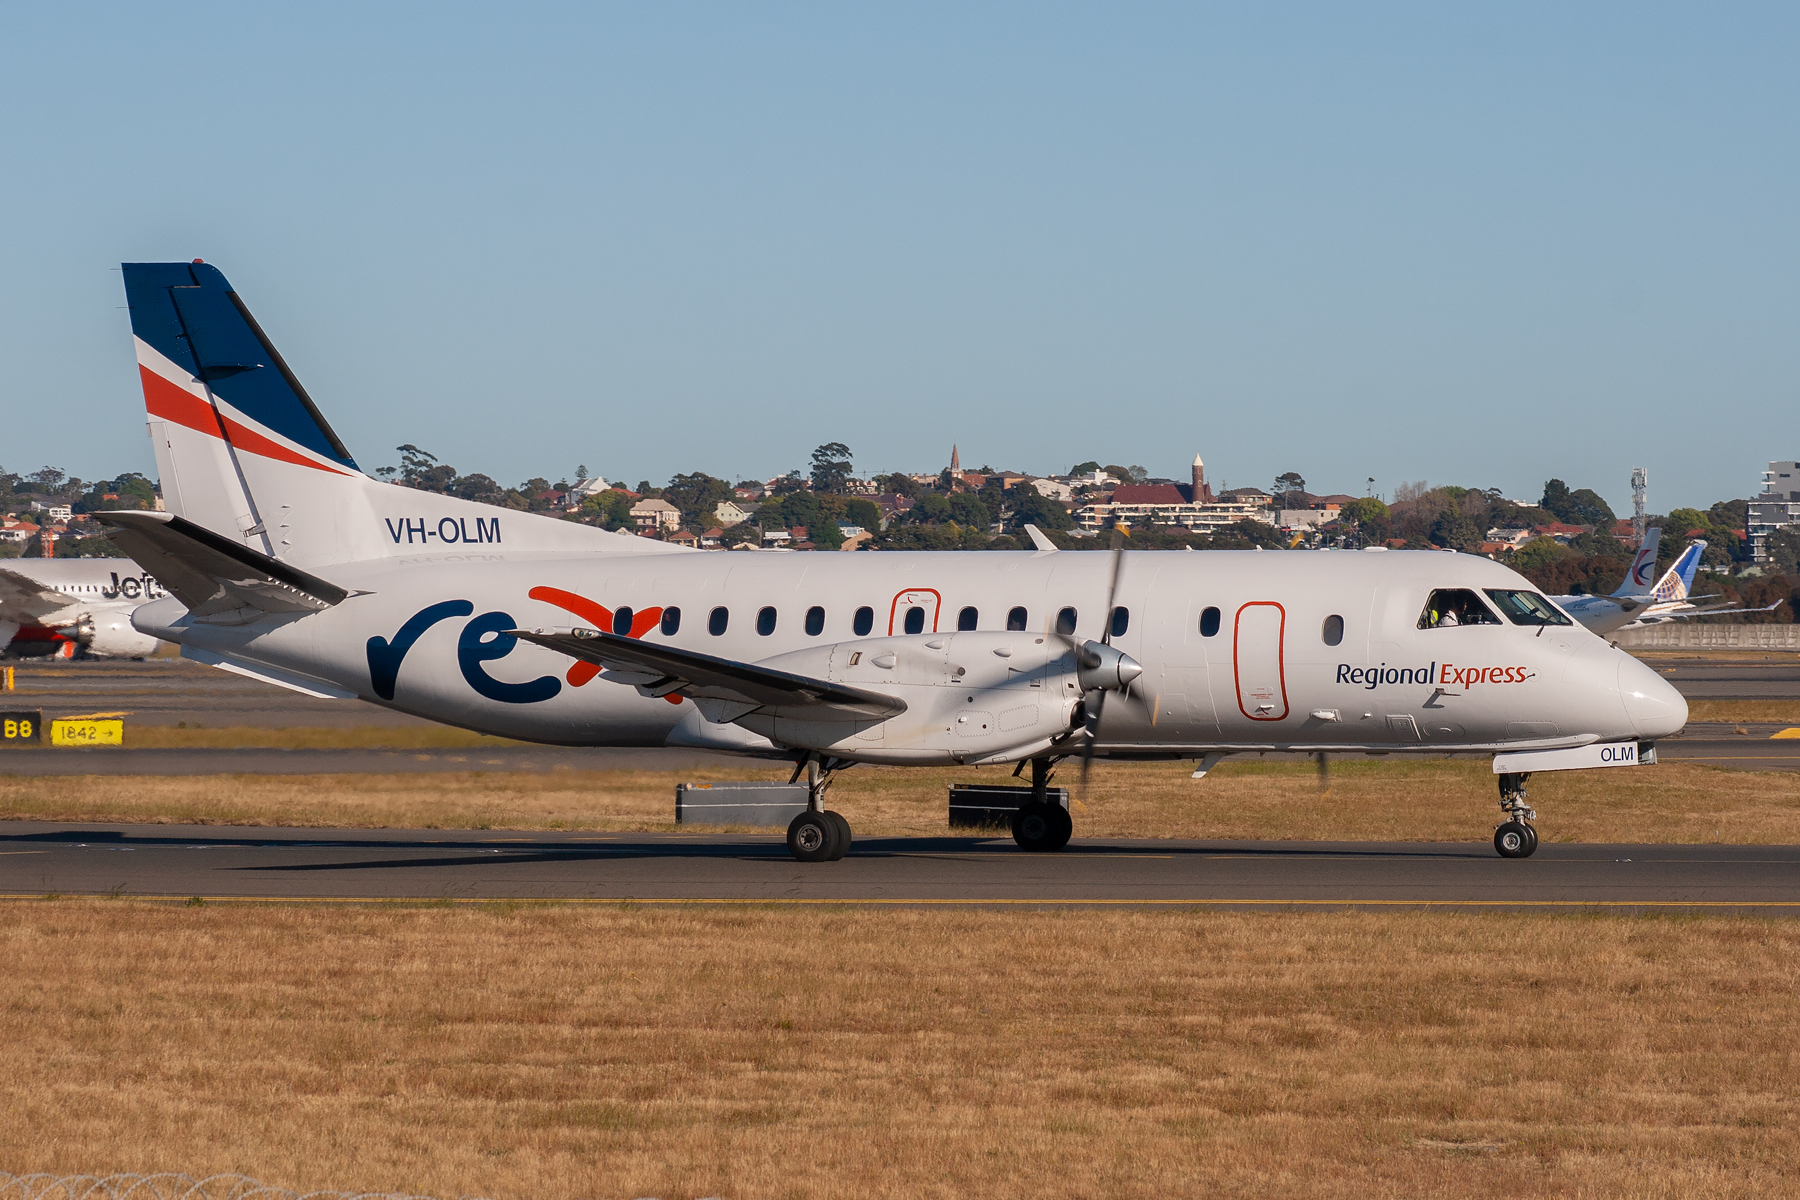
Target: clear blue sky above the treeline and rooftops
(1461, 244)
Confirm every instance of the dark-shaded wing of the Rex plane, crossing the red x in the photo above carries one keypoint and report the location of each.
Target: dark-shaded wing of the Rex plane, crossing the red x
(739, 688)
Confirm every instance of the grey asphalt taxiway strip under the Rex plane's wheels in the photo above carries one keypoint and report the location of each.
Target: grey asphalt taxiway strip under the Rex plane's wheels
(40, 859)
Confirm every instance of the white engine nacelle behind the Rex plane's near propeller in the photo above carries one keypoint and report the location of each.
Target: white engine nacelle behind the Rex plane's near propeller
(982, 697)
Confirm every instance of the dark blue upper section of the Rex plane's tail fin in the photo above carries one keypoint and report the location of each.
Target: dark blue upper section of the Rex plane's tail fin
(190, 314)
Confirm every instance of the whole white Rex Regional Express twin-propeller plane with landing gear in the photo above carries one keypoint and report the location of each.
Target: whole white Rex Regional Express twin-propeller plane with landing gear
(287, 562)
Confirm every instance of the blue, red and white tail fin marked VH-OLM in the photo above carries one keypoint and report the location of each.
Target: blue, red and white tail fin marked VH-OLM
(242, 449)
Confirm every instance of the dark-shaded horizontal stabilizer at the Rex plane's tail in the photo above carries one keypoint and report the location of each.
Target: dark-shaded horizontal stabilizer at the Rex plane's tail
(211, 575)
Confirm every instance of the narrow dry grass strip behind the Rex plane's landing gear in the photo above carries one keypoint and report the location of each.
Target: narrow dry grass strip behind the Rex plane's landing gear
(1421, 800)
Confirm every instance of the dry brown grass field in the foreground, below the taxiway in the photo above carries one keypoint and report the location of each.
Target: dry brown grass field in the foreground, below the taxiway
(579, 1053)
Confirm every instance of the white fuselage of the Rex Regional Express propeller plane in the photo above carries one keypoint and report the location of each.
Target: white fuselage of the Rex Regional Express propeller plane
(1266, 679)
